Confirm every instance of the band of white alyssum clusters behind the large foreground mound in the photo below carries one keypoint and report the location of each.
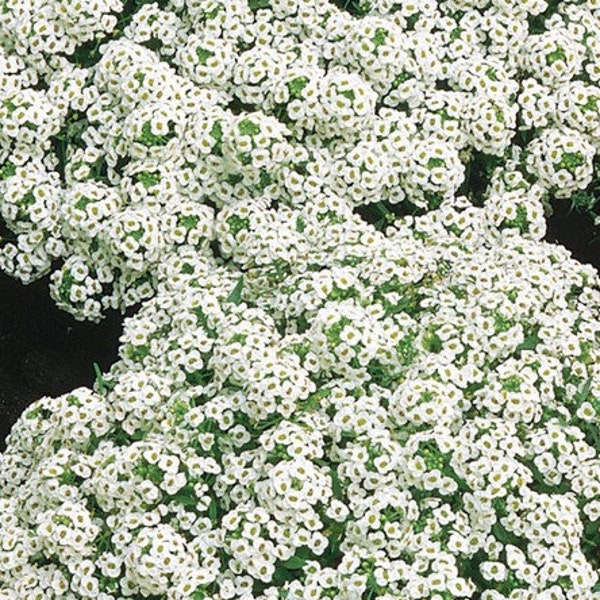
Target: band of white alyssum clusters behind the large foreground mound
(125, 126)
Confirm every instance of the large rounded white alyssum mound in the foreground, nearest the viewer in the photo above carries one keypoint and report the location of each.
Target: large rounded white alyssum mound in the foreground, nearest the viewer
(346, 415)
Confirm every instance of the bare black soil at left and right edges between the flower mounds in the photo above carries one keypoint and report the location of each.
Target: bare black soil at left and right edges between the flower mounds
(44, 351)
